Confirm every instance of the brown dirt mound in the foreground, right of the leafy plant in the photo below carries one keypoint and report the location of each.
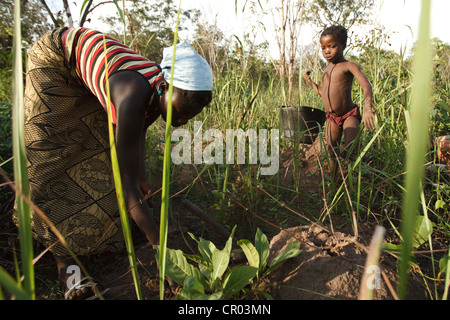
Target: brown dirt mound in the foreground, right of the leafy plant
(329, 267)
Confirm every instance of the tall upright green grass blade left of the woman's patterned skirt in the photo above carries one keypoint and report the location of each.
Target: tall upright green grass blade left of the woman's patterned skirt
(20, 160)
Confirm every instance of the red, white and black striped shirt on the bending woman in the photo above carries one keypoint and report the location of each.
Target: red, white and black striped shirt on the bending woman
(84, 50)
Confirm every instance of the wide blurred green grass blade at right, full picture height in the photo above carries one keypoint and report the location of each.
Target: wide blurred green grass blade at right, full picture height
(418, 140)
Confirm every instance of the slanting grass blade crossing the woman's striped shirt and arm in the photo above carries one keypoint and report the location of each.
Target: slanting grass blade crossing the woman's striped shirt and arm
(119, 191)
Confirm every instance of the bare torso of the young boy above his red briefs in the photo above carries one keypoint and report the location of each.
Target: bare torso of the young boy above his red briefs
(336, 88)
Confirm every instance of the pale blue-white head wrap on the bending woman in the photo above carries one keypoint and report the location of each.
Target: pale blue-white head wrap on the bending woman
(191, 73)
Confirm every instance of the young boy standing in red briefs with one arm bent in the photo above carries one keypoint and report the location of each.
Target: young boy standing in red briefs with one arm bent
(336, 92)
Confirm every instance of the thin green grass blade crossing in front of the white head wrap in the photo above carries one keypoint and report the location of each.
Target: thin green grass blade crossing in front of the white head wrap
(165, 193)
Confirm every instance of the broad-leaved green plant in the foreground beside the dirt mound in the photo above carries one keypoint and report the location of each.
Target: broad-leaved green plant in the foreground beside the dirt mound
(213, 279)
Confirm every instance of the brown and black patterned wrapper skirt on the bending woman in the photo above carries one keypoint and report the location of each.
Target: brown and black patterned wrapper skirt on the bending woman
(69, 165)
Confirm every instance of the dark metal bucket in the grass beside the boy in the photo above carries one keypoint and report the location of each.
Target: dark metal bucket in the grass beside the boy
(303, 122)
